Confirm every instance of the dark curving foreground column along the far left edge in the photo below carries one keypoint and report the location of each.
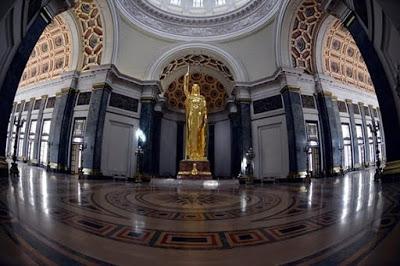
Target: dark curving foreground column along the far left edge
(11, 81)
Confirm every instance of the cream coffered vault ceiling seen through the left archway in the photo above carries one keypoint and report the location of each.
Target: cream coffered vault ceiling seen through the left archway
(51, 55)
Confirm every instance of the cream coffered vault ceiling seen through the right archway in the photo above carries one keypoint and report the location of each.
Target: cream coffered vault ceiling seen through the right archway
(343, 60)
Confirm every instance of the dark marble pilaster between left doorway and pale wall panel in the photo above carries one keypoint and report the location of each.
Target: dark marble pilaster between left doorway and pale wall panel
(91, 155)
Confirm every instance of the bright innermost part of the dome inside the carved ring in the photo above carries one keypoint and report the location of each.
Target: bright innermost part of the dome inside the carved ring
(198, 8)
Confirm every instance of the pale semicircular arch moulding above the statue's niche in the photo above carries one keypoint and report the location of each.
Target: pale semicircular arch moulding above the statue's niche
(237, 69)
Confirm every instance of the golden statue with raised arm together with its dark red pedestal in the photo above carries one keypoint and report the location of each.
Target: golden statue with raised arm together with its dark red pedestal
(195, 165)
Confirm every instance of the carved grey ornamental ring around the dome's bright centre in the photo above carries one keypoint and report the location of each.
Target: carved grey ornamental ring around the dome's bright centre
(242, 20)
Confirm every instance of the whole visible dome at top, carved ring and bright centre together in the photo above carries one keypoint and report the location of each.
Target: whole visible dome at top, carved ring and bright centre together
(202, 20)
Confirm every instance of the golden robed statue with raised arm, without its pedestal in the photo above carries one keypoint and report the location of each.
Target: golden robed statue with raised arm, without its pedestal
(196, 121)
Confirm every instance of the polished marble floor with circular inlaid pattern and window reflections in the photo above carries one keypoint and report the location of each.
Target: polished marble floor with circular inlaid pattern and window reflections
(50, 218)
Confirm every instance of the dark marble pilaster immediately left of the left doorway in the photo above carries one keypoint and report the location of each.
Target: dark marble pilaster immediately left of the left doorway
(61, 125)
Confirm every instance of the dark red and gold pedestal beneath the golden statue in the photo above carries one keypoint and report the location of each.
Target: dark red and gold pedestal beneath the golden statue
(194, 170)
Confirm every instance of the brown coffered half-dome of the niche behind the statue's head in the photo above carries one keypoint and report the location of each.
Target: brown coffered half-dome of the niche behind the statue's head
(211, 89)
